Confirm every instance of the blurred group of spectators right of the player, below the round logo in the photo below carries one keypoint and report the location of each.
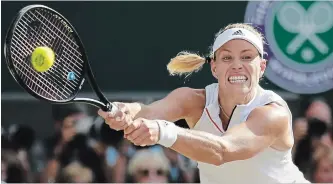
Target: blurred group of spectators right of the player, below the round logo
(313, 147)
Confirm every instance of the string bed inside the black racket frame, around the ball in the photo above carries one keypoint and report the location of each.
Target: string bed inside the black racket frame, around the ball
(50, 32)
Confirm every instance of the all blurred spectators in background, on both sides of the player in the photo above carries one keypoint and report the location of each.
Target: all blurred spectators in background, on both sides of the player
(83, 149)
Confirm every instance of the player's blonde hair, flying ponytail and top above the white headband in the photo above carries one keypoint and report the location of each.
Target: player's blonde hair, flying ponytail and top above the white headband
(185, 62)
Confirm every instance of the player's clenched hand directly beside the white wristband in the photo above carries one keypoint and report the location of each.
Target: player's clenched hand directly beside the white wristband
(142, 132)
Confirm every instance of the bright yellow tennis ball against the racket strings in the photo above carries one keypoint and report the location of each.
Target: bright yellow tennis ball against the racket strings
(42, 59)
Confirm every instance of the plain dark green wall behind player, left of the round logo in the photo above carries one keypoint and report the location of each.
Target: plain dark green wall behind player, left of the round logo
(130, 43)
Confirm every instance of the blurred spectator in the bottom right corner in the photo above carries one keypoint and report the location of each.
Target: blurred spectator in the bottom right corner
(322, 166)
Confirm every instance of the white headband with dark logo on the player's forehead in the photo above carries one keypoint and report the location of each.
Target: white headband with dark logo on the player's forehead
(238, 33)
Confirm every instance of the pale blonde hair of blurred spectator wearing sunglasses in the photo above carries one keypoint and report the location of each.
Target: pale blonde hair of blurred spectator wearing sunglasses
(145, 158)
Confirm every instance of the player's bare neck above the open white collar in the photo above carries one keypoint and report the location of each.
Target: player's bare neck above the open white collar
(229, 100)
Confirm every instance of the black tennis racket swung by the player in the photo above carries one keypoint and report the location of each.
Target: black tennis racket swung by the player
(38, 25)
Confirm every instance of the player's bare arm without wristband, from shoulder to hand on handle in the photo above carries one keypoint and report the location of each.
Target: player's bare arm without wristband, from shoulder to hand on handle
(181, 103)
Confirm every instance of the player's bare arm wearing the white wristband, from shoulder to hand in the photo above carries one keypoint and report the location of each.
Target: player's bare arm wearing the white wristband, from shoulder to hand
(262, 129)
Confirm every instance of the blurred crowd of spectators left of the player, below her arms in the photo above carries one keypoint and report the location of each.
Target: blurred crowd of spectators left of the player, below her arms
(83, 149)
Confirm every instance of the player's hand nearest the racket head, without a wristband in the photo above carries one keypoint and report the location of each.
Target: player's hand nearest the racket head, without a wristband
(117, 119)
